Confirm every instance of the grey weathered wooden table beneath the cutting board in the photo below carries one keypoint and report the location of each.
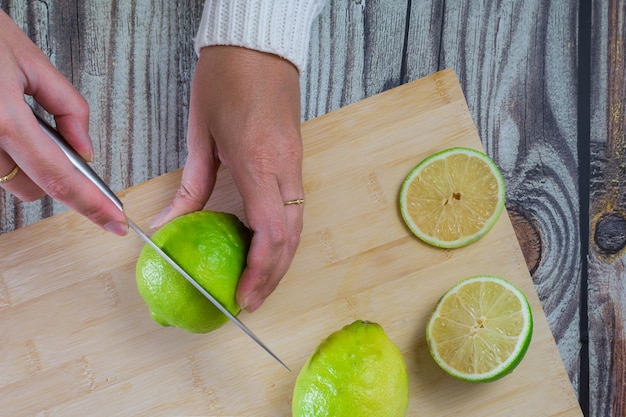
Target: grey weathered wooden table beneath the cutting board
(544, 80)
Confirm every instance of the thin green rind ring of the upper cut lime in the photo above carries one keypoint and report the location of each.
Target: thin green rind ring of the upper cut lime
(466, 240)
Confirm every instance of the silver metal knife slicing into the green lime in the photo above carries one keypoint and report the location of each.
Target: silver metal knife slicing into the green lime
(81, 165)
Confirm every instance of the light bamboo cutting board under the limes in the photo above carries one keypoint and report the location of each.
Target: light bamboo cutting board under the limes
(77, 339)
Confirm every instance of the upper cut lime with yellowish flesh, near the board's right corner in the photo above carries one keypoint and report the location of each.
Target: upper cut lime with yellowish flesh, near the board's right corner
(453, 197)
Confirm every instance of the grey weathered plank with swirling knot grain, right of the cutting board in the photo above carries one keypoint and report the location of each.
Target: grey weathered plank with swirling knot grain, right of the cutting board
(517, 64)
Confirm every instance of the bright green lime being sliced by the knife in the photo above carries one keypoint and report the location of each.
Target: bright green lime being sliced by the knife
(212, 247)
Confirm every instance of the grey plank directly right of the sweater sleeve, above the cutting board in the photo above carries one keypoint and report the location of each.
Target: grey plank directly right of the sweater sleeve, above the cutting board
(356, 52)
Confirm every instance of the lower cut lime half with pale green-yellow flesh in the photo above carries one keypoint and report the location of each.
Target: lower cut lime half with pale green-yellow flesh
(480, 329)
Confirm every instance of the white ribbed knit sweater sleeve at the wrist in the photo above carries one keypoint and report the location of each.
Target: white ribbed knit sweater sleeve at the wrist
(280, 27)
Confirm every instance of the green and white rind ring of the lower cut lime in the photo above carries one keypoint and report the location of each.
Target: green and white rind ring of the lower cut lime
(516, 356)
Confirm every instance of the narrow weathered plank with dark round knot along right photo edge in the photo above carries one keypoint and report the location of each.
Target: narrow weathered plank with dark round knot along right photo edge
(607, 258)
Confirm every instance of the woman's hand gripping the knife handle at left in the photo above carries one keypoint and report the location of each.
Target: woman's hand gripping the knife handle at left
(42, 166)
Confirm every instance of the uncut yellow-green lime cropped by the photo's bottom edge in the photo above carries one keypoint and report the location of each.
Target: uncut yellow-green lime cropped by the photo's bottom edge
(356, 371)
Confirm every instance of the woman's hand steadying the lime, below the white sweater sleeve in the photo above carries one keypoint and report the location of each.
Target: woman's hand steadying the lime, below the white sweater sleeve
(245, 113)
